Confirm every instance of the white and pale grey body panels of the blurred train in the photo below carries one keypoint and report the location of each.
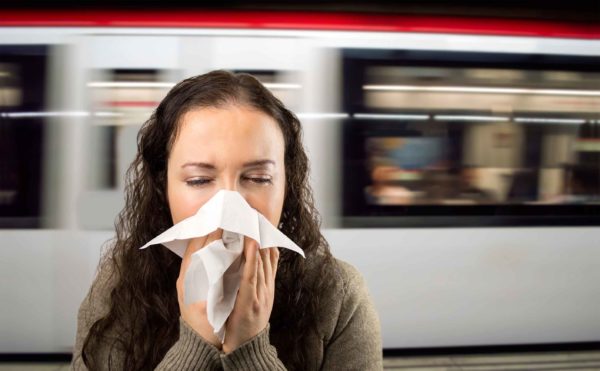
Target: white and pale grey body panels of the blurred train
(433, 287)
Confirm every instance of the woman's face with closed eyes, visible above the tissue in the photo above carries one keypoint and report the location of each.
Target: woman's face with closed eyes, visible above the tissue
(235, 148)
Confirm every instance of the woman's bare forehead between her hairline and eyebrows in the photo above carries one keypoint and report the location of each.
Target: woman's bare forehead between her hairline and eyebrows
(231, 131)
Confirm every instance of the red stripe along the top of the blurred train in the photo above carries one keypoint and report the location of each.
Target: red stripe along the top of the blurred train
(274, 20)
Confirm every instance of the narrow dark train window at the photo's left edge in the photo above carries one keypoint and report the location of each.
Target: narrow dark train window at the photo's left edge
(22, 89)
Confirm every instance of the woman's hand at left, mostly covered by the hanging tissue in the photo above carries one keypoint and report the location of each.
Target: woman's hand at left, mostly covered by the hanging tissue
(195, 314)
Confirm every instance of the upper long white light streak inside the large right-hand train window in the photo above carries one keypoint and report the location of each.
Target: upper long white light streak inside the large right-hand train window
(473, 89)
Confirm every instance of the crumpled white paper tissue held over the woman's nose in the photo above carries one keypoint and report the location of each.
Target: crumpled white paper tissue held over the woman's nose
(215, 270)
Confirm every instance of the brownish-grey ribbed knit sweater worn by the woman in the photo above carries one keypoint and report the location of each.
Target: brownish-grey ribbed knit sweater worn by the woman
(348, 333)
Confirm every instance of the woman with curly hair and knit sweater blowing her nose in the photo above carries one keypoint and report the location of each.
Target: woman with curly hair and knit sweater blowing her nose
(211, 132)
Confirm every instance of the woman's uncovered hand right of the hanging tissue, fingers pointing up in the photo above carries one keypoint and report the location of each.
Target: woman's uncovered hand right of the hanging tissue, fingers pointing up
(254, 301)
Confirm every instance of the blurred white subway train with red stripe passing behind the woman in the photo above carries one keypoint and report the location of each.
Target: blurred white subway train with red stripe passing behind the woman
(455, 162)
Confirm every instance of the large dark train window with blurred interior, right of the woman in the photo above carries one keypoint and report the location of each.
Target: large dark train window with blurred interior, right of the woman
(436, 138)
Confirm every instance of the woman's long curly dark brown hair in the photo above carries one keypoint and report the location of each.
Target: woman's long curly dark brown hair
(143, 319)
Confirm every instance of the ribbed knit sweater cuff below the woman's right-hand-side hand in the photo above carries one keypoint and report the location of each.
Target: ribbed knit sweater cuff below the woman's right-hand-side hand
(256, 354)
